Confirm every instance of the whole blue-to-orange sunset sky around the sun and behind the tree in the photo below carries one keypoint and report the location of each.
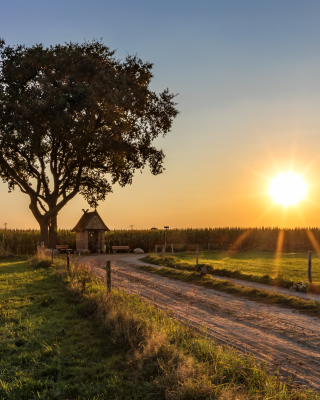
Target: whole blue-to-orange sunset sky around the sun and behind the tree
(248, 83)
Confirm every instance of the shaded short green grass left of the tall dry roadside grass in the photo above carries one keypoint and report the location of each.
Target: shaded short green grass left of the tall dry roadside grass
(49, 342)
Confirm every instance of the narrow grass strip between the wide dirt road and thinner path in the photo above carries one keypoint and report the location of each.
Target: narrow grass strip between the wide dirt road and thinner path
(308, 307)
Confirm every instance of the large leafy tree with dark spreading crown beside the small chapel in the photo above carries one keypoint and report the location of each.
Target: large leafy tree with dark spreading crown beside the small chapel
(75, 119)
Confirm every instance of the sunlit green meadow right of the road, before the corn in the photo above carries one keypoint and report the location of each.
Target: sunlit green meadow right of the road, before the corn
(262, 267)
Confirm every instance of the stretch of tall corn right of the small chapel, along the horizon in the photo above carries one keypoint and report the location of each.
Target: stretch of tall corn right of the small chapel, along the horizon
(234, 239)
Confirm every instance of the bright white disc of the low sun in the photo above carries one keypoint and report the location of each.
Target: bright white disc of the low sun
(288, 189)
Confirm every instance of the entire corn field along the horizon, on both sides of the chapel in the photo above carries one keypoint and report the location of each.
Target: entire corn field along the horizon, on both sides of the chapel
(15, 241)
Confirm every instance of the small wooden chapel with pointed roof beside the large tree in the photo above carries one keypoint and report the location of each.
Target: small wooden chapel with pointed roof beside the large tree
(90, 233)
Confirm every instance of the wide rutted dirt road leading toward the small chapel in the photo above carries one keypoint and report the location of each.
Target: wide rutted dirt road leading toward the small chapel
(280, 337)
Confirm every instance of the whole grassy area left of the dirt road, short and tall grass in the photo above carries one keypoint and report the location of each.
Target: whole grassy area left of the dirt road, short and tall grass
(64, 337)
